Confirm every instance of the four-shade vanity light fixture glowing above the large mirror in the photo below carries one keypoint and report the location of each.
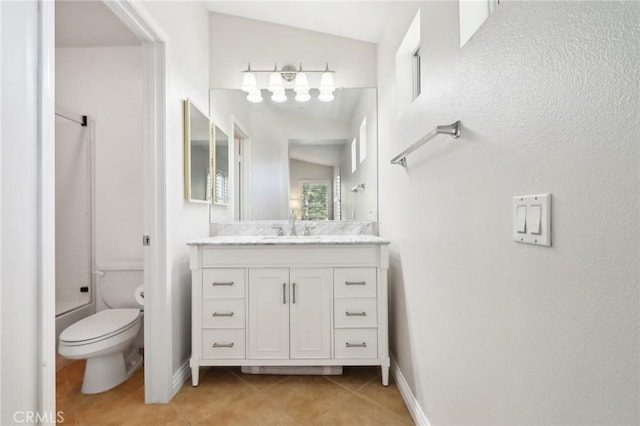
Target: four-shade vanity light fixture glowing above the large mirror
(288, 73)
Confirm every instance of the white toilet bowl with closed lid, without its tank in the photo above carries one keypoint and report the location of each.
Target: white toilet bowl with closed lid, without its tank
(106, 340)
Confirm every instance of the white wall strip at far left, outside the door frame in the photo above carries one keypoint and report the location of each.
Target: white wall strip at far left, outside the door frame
(19, 226)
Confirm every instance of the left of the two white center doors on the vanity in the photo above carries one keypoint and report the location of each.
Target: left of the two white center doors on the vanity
(268, 313)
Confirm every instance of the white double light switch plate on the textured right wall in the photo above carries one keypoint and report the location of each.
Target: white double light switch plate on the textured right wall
(538, 219)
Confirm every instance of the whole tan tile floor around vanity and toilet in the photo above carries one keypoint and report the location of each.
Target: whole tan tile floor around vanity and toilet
(225, 396)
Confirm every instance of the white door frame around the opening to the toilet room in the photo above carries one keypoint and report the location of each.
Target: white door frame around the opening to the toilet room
(158, 363)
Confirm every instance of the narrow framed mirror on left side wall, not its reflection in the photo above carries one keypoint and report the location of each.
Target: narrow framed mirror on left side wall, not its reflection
(197, 155)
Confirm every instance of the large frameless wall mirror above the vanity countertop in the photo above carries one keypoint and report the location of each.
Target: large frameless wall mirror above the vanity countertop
(317, 159)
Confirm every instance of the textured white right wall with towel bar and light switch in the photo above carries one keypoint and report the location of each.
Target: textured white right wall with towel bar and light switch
(486, 330)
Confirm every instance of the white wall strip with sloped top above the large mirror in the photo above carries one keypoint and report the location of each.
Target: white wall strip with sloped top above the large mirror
(237, 41)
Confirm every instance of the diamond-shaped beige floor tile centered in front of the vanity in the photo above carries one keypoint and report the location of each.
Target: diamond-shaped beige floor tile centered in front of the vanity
(306, 397)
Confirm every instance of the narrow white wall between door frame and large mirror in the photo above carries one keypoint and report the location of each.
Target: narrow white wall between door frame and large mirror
(186, 24)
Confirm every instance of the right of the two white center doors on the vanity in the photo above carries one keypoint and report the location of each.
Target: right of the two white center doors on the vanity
(310, 324)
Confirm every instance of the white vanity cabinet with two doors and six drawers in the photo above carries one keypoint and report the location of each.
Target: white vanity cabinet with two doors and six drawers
(313, 304)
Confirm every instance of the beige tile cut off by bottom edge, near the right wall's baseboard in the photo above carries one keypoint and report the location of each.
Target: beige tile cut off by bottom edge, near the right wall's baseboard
(357, 411)
